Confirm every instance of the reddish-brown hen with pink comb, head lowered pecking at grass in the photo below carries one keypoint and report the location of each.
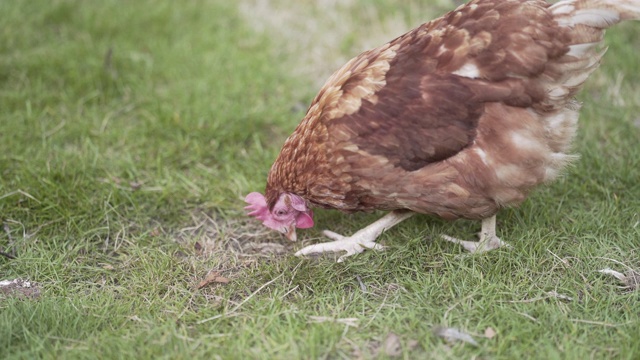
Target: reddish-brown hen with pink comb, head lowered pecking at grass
(458, 118)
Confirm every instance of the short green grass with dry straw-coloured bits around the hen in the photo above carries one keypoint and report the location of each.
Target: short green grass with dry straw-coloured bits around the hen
(131, 131)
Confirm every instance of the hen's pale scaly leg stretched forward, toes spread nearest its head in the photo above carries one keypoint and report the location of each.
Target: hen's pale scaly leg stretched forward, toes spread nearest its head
(356, 243)
